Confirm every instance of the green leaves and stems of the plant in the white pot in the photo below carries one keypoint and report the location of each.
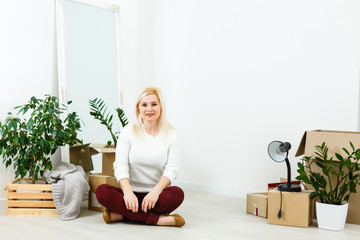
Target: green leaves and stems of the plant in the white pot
(334, 180)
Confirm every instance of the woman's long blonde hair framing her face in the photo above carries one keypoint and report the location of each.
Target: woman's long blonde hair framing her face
(163, 126)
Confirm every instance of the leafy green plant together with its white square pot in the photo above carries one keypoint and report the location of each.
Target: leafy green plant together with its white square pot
(334, 180)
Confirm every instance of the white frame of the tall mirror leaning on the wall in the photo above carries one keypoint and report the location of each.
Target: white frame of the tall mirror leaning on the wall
(111, 5)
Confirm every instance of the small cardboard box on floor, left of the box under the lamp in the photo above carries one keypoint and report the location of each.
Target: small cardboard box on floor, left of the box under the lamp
(257, 204)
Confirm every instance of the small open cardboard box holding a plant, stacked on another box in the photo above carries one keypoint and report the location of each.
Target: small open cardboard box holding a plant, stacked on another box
(108, 157)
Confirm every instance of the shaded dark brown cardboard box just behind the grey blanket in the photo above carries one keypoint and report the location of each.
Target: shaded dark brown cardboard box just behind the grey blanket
(81, 155)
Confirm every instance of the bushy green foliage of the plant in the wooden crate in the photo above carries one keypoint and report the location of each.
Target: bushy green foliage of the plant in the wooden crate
(28, 144)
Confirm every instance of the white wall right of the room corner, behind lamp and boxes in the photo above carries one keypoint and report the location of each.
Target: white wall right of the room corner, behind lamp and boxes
(240, 74)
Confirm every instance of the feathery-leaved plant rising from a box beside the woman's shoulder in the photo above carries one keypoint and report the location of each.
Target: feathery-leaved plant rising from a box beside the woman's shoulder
(99, 110)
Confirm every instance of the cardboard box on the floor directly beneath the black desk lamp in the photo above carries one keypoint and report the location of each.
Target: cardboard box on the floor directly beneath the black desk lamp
(296, 208)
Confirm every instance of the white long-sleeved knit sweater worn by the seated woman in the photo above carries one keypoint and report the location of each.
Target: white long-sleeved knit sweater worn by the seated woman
(144, 160)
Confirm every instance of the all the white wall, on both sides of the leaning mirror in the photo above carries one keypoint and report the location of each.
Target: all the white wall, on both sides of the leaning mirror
(236, 75)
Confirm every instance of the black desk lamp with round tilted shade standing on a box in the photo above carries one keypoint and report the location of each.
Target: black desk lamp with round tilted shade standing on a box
(279, 151)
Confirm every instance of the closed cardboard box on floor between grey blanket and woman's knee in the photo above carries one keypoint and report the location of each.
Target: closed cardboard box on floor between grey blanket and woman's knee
(95, 180)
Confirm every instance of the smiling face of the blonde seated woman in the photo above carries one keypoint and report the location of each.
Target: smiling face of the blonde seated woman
(150, 108)
